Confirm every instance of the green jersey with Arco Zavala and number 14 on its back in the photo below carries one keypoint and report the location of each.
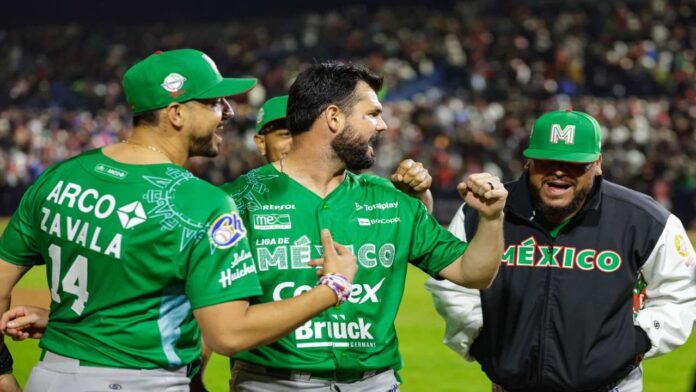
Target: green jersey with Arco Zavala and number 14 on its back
(130, 251)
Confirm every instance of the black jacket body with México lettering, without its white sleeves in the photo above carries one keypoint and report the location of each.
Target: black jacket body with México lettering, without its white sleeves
(566, 323)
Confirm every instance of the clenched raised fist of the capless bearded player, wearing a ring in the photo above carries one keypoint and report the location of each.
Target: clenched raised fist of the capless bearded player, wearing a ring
(484, 193)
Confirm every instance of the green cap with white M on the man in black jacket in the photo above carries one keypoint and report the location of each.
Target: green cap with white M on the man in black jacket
(565, 135)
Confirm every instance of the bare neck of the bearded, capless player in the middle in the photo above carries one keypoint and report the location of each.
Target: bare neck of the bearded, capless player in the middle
(313, 166)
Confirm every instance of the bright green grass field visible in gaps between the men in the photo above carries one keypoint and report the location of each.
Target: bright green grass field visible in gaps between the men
(429, 365)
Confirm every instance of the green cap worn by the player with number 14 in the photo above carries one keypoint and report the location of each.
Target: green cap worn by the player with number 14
(177, 76)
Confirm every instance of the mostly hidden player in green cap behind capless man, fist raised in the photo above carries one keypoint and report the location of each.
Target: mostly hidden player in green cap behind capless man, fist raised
(273, 140)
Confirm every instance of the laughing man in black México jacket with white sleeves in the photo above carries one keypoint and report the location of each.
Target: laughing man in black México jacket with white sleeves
(594, 276)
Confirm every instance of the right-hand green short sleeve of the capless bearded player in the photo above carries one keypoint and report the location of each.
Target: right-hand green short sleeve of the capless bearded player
(432, 247)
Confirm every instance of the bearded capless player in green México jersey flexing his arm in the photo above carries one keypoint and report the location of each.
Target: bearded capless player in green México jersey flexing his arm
(334, 116)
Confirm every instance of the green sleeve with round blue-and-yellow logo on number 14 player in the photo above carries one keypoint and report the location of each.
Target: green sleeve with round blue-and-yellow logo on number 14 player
(221, 267)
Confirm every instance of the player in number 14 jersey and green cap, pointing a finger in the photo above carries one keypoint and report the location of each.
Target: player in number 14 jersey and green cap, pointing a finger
(140, 253)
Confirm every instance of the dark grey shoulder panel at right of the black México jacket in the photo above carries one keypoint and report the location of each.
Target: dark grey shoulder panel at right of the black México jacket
(628, 202)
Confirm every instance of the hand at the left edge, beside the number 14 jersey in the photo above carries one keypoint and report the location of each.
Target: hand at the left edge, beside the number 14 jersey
(24, 322)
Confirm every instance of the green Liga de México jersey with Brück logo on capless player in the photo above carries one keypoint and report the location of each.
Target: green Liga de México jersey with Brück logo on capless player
(384, 227)
